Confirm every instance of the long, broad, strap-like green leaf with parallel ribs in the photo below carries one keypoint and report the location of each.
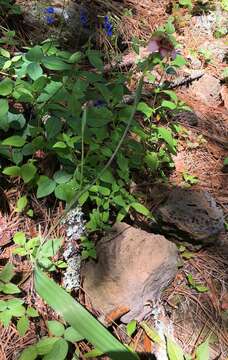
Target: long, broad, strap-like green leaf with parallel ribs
(79, 318)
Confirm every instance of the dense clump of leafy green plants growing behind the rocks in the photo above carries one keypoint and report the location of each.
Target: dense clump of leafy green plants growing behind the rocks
(77, 136)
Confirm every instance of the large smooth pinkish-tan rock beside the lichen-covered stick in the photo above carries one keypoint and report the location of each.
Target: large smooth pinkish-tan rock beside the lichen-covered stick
(133, 268)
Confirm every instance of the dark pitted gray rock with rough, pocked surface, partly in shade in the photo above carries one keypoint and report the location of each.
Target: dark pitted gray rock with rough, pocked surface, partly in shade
(192, 213)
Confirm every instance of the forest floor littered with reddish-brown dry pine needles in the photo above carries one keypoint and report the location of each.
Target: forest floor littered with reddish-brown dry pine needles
(201, 152)
